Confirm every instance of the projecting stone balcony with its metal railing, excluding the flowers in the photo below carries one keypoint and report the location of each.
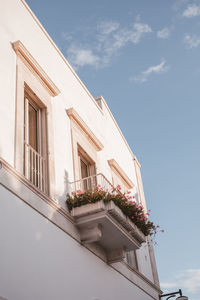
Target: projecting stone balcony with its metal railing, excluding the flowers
(105, 223)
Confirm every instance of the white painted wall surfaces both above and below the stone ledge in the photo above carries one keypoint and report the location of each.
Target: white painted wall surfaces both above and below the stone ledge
(36, 257)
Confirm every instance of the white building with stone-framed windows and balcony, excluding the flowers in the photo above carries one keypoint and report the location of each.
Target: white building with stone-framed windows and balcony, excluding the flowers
(53, 134)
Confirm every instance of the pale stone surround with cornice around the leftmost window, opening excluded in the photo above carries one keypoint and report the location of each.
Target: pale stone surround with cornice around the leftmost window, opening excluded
(32, 78)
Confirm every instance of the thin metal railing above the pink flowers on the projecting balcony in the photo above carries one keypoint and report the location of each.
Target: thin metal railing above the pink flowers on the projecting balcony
(91, 182)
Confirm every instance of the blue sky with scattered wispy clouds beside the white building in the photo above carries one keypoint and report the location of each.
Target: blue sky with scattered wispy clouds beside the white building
(143, 57)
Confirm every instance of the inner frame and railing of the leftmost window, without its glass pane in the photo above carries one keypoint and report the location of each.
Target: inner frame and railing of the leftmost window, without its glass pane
(35, 160)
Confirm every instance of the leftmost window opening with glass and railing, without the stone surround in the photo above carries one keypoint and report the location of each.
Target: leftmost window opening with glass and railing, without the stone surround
(35, 162)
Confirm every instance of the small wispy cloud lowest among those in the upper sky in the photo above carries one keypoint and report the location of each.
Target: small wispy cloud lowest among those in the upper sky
(158, 69)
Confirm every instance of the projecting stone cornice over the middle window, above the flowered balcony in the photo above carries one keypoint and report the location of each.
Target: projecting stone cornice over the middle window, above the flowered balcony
(74, 116)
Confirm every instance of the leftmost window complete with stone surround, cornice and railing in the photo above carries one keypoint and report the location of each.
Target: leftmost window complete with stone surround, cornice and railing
(34, 157)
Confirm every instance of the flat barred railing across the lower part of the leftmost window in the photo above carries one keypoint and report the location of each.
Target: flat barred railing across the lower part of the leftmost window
(35, 168)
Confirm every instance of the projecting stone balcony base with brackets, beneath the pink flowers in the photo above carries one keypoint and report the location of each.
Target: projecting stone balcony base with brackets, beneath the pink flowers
(105, 224)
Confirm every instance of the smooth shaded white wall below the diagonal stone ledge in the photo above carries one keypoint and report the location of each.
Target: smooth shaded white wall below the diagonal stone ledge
(39, 261)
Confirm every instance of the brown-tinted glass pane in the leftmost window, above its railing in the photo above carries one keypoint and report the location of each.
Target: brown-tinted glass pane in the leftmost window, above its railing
(33, 138)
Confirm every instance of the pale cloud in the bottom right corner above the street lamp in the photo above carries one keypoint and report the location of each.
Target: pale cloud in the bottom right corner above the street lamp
(189, 281)
